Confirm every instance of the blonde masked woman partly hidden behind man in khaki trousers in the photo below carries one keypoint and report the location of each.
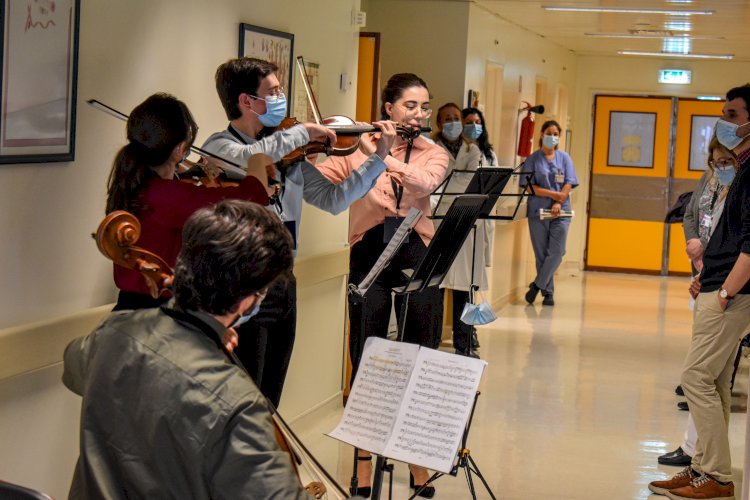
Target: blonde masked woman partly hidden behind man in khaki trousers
(701, 215)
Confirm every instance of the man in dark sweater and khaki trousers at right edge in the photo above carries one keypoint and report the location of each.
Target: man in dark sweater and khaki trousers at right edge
(720, 319)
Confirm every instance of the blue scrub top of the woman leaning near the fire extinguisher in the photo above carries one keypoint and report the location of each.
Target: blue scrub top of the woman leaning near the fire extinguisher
(543, 173)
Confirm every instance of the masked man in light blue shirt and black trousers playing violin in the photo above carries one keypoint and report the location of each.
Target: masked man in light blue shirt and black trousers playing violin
(255, 104)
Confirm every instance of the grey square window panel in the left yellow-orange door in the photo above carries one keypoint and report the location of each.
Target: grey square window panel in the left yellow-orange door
(631, 139)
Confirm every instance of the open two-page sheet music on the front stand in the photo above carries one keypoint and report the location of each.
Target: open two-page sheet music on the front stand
(410, 403)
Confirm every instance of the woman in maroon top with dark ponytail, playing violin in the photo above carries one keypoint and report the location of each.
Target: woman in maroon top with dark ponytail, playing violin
(160, 132)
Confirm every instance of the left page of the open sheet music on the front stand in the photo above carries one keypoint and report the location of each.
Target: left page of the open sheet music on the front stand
(375, 398)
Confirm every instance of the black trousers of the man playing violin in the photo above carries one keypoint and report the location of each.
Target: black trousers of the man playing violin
(267, 339)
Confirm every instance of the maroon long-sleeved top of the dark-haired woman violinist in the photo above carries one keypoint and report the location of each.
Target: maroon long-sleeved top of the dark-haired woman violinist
(167, 205)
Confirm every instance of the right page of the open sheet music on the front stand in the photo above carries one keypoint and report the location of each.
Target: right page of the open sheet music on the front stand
(435, 409)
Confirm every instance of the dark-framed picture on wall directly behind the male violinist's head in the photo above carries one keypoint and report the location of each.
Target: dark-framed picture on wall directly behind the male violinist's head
(270, 45)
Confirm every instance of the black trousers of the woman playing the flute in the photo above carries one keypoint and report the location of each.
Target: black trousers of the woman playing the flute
(370, 317)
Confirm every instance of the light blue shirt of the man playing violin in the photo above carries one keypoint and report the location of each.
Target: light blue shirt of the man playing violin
(303, 181)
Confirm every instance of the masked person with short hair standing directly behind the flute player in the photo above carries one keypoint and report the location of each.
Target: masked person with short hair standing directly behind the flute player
(463, 155)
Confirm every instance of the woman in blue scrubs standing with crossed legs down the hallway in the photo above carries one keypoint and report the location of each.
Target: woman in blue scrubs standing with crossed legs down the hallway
(552, 175)
